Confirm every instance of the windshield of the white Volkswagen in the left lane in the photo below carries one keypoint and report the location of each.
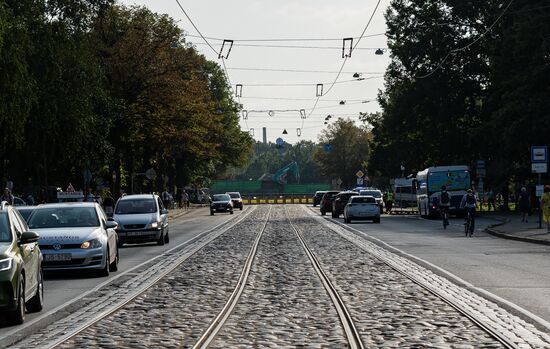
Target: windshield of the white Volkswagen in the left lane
(63, 217)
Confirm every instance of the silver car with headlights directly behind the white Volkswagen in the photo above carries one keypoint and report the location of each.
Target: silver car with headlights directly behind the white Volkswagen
(141, 218)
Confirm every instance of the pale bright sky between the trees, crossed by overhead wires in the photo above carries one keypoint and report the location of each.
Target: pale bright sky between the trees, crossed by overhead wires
(241, 20)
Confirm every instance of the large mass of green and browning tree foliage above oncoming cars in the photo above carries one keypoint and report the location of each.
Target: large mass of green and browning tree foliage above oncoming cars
(89, 84)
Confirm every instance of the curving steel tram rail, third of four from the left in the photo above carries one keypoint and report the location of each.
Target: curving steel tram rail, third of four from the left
(346, 319)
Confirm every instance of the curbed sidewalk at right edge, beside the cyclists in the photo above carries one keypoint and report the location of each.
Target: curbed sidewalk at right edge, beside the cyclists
(512, 228)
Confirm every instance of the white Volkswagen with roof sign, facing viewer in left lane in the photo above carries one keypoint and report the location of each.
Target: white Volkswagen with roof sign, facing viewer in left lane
(76, 235)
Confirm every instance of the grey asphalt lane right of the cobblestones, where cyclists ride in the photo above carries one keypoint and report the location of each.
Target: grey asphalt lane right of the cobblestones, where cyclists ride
(517, 271)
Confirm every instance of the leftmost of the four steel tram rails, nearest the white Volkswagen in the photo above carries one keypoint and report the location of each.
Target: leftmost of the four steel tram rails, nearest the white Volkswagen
(71, 334)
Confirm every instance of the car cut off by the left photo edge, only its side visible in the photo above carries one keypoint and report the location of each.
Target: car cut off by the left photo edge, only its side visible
(21, 281)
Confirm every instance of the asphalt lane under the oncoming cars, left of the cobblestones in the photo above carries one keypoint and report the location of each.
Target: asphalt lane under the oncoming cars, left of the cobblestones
(60, 288)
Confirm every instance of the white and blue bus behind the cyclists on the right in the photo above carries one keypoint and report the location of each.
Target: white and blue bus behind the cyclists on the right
(428, 187)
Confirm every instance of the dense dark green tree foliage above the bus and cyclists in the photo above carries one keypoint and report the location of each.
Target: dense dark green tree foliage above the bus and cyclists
(454, 95)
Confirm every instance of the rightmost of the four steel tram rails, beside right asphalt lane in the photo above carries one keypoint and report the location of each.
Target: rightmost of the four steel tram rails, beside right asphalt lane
(502, 339)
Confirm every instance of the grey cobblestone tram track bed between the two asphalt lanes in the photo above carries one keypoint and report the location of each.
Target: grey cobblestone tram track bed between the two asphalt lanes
(284, 303)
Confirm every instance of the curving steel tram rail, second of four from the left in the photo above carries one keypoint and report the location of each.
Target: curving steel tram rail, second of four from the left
(212, 331)
